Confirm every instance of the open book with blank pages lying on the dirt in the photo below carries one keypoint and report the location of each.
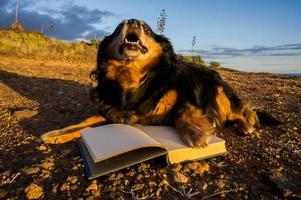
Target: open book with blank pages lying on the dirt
(112, 147)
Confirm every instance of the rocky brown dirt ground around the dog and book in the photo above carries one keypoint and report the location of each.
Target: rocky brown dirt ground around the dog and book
(41, 95)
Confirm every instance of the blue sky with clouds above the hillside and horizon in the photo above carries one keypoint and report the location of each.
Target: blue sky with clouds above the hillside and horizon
(249, 35)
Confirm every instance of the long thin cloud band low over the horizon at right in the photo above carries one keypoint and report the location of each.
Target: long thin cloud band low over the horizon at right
(279, 50)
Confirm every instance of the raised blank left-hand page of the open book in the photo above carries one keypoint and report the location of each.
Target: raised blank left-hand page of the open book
(110, 140)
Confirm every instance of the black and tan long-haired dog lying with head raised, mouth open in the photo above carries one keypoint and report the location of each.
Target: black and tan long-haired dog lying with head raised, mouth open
(140, 80)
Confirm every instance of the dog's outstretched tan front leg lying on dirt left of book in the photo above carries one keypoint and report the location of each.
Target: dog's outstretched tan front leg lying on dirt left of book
(71, 132)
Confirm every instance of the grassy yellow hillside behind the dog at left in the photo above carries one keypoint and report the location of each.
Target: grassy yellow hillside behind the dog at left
(35, 45)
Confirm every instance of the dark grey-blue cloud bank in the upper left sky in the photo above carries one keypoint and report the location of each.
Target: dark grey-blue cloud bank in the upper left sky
(68, 22)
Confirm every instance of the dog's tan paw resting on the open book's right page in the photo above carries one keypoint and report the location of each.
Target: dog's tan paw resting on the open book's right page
(196, 137)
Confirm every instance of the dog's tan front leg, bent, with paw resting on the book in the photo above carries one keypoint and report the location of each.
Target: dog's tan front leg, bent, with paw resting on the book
(193, 126)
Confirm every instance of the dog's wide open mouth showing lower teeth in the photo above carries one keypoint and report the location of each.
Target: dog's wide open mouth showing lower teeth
(132, 42)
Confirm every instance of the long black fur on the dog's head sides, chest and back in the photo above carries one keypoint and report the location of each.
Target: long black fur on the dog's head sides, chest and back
(195, 84)
